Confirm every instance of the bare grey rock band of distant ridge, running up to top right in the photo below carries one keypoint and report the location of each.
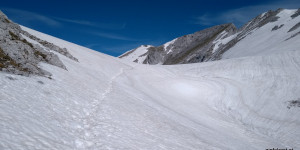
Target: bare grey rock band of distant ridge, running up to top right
(205, 45)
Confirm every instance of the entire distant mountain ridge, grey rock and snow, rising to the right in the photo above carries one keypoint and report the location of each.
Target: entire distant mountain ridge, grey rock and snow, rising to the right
(273, 30)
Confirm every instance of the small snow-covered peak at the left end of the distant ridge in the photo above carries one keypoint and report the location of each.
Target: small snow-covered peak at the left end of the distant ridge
(137, 55)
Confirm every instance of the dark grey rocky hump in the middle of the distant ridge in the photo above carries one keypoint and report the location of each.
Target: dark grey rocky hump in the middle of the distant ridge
(190, 48)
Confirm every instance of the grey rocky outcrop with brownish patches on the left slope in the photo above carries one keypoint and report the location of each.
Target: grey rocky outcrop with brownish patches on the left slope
(19, 56)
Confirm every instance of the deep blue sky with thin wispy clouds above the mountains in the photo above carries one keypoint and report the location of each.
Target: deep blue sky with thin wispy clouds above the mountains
(113, 27)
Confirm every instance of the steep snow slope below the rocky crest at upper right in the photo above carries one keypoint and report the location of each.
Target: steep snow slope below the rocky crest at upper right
(271, 38)
